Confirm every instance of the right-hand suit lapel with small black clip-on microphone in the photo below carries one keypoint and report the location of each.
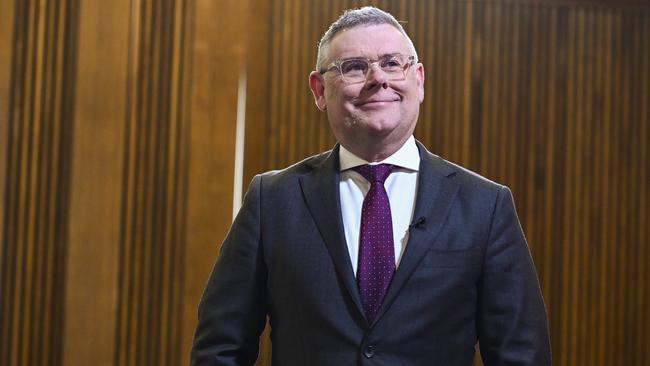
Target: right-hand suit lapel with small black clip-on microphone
(437, 189)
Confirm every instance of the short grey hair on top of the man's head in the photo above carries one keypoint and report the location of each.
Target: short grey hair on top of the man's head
(368, 15)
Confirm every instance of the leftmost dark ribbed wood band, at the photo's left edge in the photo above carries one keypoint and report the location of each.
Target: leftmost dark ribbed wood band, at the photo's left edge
(36, 165)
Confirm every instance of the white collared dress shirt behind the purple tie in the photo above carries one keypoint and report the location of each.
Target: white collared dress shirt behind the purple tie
(401, 186)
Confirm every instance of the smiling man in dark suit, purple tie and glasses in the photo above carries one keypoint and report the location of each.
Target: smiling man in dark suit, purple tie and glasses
(376, 252)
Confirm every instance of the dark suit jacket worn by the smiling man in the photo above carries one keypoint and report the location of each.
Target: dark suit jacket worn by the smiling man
(466, 276)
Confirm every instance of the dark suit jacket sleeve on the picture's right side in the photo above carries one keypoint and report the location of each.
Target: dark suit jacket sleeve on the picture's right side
(512, 321)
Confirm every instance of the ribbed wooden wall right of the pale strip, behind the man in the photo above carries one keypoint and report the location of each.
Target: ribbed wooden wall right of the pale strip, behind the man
(548, 97)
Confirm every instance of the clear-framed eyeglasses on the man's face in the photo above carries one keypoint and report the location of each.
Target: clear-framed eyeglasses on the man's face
(355, 70)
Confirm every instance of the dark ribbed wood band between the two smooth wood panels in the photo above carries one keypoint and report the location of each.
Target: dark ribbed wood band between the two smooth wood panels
(151, 251)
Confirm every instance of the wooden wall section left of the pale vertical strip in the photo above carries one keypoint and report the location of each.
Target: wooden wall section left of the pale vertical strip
(116, 167)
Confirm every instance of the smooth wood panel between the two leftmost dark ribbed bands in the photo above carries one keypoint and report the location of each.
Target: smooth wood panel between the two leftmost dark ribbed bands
(90, 286)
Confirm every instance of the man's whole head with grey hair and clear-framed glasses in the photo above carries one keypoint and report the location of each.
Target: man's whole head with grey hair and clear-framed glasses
(372, 106)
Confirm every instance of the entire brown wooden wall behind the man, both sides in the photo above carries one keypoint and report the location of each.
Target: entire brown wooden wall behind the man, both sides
(117, 125)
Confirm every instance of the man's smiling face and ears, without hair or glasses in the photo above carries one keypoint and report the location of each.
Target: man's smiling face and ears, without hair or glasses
(378, 110)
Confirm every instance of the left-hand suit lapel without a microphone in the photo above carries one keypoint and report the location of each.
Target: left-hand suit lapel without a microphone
(321, 191)
